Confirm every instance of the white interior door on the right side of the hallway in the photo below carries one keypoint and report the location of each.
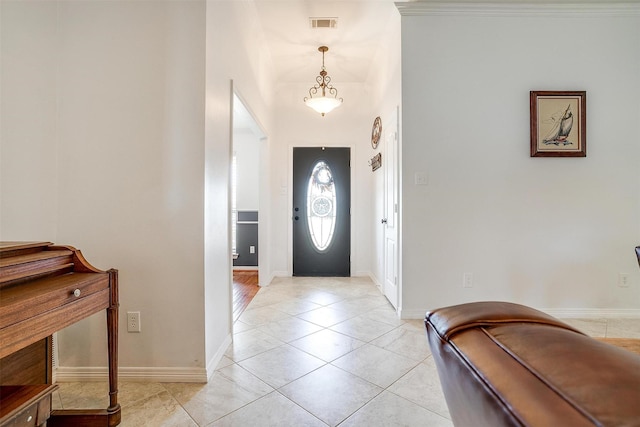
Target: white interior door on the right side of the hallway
(390, 220)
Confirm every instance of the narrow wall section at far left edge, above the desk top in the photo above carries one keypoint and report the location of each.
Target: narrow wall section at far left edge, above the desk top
(28, 129)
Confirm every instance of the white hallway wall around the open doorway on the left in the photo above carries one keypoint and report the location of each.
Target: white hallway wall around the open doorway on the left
(236, 61)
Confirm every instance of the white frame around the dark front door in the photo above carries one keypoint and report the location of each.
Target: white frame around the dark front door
(352, 156)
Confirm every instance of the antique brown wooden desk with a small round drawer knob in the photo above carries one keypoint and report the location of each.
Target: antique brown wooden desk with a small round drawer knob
(43, 289)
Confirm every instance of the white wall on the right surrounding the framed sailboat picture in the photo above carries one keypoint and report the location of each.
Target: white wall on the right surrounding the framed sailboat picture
(552, 233)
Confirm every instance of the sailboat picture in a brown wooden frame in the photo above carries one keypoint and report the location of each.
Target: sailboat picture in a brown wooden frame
(558, 123)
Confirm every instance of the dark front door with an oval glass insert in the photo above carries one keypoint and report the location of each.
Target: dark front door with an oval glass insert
(321, 211)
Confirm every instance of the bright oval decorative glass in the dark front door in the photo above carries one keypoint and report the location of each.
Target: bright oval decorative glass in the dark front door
(321, 206)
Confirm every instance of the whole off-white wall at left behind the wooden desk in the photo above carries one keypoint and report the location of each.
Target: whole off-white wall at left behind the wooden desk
(119, 87)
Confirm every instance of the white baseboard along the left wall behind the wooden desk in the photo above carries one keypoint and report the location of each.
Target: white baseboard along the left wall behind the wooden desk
(133, 374)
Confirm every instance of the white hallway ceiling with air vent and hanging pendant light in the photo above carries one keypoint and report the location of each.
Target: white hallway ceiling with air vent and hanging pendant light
(293, 43)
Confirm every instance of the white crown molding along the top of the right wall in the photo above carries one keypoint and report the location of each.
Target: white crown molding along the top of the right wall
(520, 9)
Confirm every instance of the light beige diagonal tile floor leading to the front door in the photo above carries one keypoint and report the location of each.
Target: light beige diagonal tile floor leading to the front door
(308, 352)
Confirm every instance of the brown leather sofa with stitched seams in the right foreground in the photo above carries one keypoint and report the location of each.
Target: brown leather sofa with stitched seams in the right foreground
(504, 364)
